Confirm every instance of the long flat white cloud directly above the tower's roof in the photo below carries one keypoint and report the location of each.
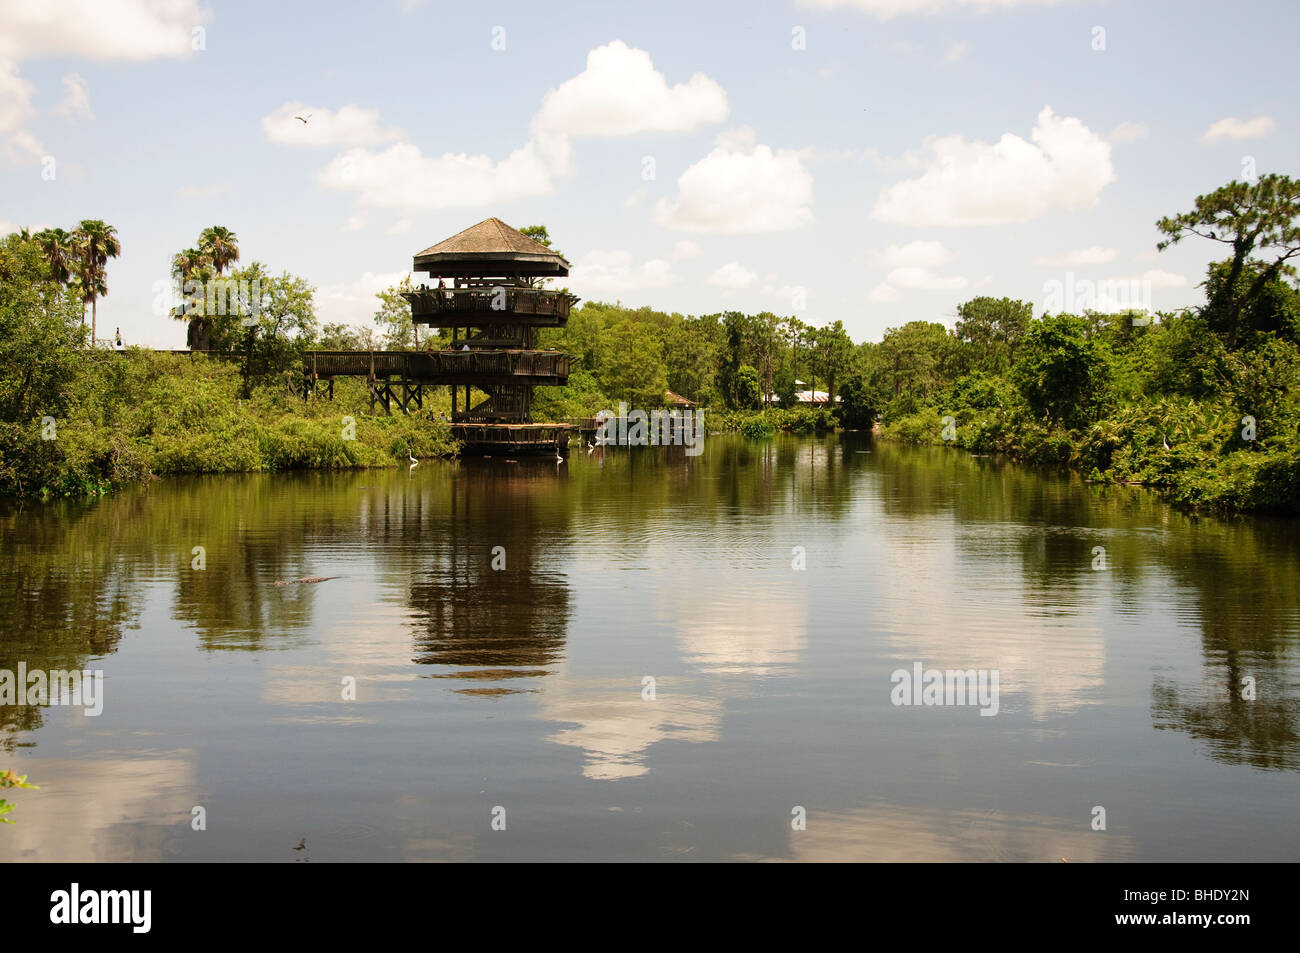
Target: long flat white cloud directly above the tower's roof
(402, 177)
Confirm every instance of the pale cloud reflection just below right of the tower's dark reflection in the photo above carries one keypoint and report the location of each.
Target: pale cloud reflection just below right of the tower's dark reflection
(616, 729)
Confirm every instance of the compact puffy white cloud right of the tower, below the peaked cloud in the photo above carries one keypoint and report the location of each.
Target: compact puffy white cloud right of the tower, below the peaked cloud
(740, 190)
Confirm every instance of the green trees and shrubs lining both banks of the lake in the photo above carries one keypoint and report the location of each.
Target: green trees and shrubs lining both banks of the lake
(1202, 402)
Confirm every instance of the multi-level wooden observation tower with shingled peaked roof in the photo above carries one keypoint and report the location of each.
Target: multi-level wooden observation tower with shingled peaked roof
(495, 298)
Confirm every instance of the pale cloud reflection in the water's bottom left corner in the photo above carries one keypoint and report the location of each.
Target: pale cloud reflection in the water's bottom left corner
(96, 809)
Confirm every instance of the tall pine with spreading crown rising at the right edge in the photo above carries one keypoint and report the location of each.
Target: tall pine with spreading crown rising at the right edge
(1262, 219)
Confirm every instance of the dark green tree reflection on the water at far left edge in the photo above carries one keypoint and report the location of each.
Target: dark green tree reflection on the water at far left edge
(68, 588)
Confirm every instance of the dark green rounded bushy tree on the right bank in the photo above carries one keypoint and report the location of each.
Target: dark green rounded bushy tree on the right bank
(1061, 372)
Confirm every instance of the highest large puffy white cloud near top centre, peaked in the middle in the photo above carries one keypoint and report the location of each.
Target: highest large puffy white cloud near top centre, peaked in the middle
(622, 94)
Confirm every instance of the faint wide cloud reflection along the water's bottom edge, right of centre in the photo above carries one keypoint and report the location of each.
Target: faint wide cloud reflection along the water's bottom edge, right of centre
(891, 834)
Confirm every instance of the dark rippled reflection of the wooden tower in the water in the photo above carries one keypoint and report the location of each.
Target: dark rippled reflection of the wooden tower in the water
(495, 625)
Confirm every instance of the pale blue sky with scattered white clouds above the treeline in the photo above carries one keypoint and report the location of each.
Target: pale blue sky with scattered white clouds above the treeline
(870, 162)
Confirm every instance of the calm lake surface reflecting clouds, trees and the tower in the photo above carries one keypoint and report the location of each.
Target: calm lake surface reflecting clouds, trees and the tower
(527, 688)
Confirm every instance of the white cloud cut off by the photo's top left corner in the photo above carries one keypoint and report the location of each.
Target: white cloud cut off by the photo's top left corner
(133, 31)
